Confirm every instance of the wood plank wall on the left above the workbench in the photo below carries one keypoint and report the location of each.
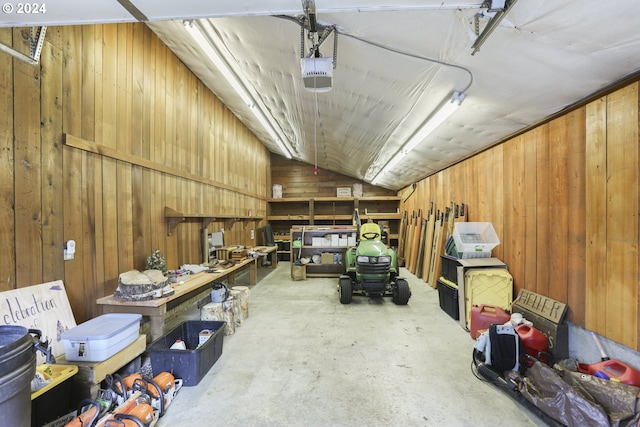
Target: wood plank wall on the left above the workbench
(118, 88)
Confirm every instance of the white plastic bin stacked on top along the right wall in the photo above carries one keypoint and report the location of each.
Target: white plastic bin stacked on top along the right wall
(475, 239)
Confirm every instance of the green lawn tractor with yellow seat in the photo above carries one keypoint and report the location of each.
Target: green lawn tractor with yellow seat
(371, 269)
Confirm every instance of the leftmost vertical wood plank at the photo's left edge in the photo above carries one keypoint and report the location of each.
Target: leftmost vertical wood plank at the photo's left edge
(7, 175)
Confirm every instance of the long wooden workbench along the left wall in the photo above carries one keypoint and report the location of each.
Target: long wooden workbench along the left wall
(156, 309)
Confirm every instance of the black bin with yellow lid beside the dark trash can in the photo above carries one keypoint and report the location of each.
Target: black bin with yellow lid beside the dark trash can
(53, 401)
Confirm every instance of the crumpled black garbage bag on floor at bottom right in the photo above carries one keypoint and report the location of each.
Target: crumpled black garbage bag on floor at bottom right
(576, 399)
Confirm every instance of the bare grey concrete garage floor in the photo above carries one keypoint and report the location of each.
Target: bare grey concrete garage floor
(304, 359)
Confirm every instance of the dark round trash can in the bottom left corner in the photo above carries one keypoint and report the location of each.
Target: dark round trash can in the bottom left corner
(17, 369)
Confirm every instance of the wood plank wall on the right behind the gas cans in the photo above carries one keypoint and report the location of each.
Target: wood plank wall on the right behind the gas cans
(563, 198)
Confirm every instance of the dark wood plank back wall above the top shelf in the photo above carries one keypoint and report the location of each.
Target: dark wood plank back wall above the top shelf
(298, 180)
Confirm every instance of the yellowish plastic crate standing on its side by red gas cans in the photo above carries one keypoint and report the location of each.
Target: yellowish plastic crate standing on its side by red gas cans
(489, 286)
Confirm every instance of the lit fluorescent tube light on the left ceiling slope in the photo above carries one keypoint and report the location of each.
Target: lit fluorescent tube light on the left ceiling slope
(235, 83)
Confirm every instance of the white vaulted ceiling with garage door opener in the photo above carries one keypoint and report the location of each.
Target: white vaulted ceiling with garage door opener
(395, 65)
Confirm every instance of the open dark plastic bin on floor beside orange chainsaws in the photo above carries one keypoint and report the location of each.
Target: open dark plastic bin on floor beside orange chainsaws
(192, 364)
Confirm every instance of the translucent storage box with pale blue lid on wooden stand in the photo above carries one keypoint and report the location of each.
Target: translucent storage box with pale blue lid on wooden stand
(100, 338)
